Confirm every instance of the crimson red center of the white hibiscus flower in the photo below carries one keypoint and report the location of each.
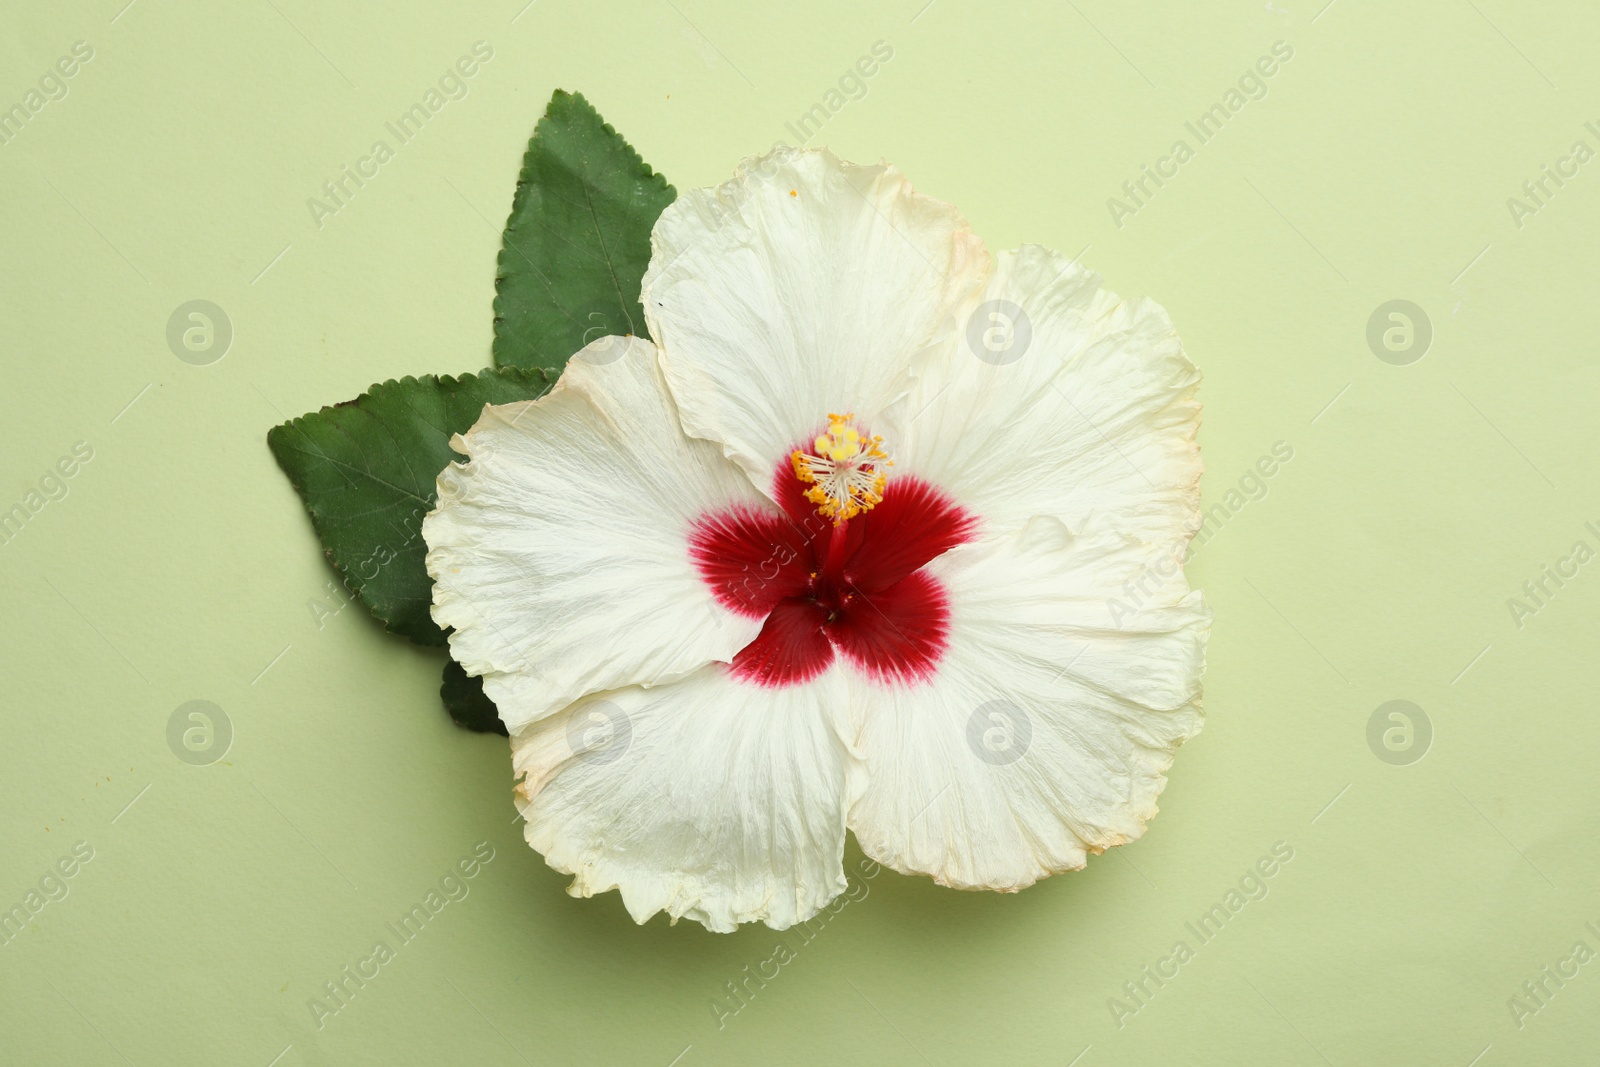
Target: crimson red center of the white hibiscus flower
(857, 591)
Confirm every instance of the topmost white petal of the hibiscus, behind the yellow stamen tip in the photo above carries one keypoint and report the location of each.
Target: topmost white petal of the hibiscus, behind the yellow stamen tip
(801, 289)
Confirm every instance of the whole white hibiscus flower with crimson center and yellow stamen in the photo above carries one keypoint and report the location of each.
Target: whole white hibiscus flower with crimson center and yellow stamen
(879, 535)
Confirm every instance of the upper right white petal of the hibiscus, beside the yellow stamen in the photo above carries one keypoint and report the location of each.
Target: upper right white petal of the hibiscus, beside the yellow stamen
(1078, 407)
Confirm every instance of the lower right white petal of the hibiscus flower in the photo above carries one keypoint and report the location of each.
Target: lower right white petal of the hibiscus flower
(1047, 730)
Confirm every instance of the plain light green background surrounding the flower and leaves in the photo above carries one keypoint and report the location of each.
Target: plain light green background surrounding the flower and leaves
(1377, 567)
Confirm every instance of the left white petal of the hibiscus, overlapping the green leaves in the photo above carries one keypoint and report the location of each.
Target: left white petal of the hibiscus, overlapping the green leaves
(559, 551)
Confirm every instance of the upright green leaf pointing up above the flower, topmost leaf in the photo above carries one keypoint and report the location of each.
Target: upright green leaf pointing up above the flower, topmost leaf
(577, 242)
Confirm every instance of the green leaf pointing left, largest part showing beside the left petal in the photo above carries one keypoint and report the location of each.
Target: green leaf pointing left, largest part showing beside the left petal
(367, 474)
